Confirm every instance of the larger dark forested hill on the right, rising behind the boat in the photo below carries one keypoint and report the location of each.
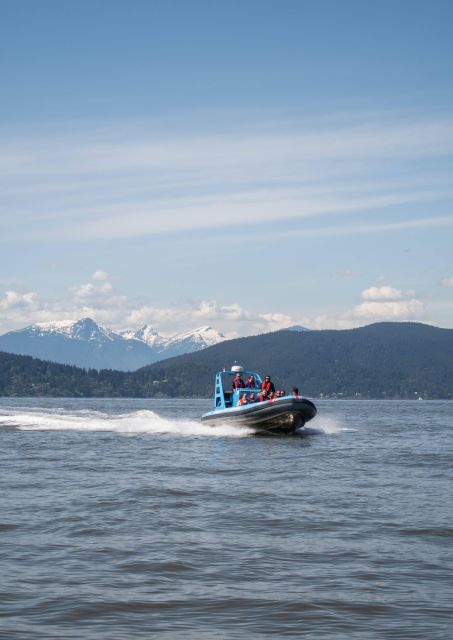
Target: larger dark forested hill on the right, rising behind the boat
(394, 360)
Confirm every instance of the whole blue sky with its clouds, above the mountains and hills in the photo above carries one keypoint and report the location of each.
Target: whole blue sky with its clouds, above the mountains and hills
(248, 165)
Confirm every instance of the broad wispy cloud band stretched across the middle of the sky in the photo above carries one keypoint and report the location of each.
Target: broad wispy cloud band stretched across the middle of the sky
(112, 184)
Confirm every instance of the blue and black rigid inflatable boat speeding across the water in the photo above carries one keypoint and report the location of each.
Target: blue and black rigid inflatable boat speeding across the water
(282, 415)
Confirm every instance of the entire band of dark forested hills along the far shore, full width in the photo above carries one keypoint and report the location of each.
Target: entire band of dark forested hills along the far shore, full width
(394, 360)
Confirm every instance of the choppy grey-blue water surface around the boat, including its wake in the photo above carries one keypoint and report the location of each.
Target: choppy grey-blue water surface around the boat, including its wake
(130, 519)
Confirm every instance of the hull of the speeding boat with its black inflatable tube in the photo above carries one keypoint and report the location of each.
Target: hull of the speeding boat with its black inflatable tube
(284, 415)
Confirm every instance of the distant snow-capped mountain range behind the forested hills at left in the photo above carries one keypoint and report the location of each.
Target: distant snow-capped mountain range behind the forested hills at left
(86, 344)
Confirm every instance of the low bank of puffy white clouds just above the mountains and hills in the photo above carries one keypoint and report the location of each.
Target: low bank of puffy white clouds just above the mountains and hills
(99, 300)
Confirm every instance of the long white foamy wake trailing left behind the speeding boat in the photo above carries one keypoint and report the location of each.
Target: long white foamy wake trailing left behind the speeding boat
(136, 422)
